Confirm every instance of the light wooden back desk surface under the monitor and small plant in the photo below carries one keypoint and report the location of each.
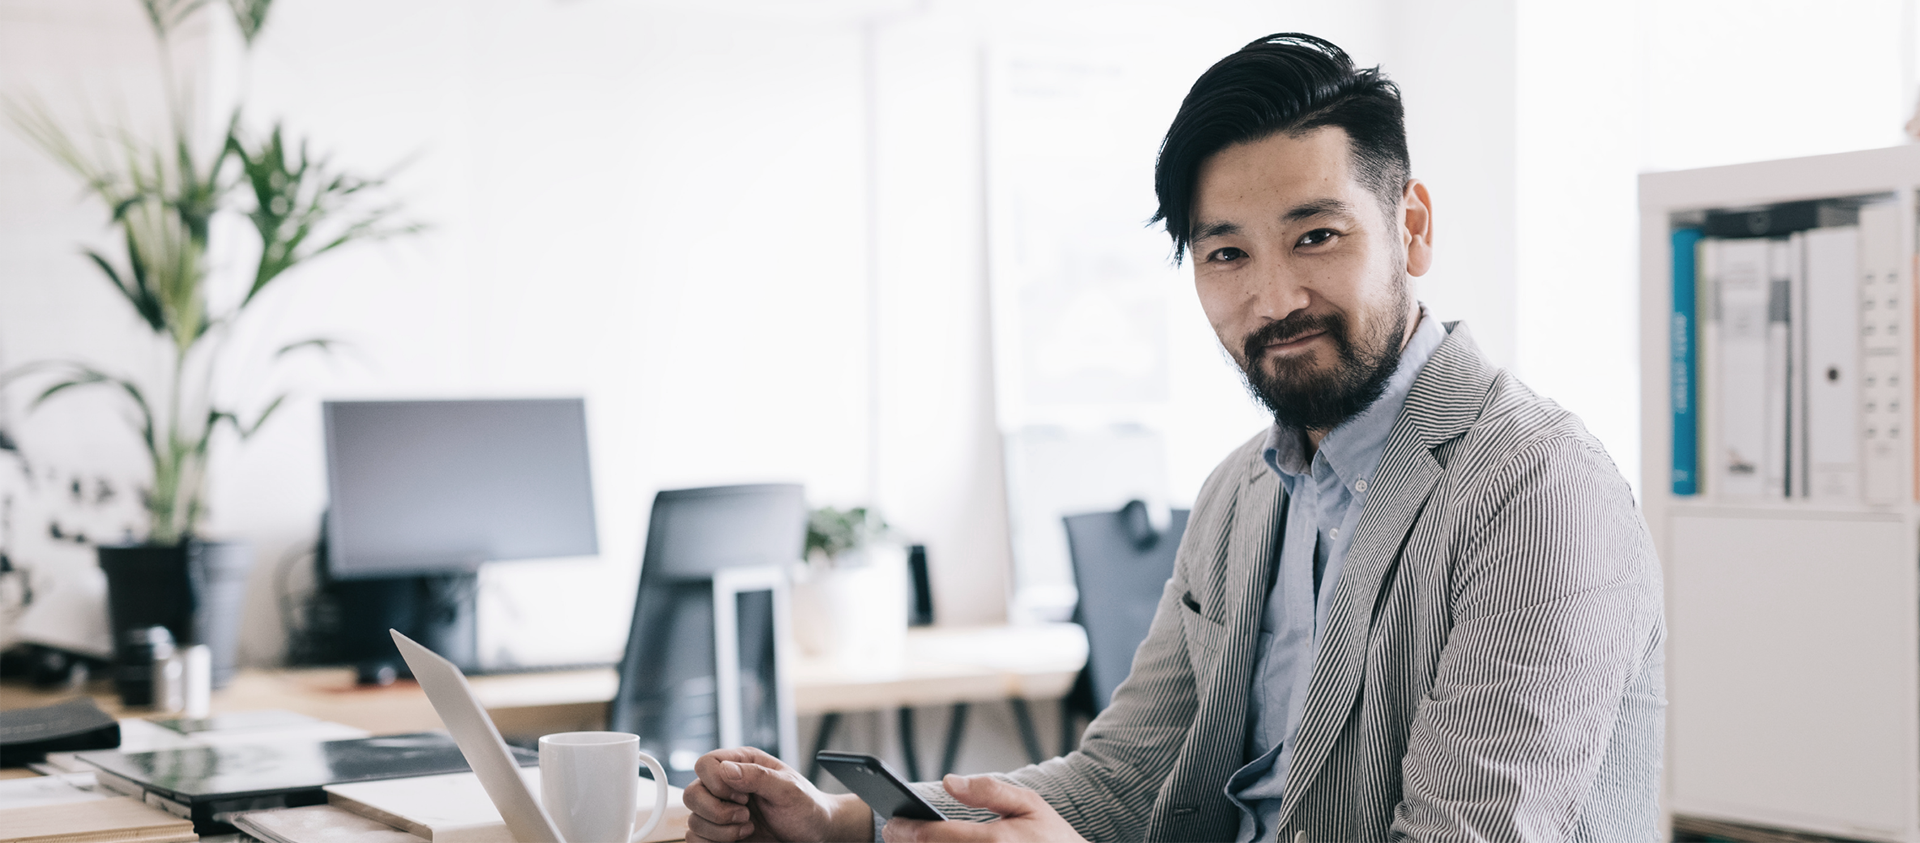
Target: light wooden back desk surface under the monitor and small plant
(942, 667)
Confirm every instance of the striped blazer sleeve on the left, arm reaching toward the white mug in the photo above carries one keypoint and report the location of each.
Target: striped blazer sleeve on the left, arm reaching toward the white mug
(1109, 786)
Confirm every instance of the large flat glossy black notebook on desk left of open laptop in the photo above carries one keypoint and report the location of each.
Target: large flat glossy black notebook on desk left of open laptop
(214, 781)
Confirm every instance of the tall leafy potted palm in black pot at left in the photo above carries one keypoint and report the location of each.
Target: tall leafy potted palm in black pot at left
(162, 199)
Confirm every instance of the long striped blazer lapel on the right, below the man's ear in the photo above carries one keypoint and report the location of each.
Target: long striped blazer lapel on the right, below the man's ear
(1447, 398)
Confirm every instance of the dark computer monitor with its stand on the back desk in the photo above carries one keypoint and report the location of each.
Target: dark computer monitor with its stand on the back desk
(423, 493)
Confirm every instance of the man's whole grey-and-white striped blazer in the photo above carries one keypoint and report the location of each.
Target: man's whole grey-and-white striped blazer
(1491, 667)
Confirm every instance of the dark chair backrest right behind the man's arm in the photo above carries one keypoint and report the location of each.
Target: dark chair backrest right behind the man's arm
(1120, 567)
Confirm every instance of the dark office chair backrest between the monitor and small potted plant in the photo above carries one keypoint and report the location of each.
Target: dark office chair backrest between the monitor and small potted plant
(673, 692)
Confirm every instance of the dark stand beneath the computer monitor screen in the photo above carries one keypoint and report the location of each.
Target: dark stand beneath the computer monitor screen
(437, 610)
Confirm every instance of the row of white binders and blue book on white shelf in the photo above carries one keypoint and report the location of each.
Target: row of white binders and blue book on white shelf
(1790, 373)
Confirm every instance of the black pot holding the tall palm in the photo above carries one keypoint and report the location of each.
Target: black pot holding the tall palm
(197, 590)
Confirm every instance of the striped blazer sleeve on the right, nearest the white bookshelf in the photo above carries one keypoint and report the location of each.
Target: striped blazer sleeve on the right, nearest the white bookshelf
(1556, 623)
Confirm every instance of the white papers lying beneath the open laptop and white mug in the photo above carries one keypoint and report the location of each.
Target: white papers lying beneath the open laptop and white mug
(456, 809)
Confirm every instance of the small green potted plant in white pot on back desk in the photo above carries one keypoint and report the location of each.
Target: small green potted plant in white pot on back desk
(850, 596)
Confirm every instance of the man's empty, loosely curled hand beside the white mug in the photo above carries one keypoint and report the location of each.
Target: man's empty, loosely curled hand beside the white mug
(750, 796)
